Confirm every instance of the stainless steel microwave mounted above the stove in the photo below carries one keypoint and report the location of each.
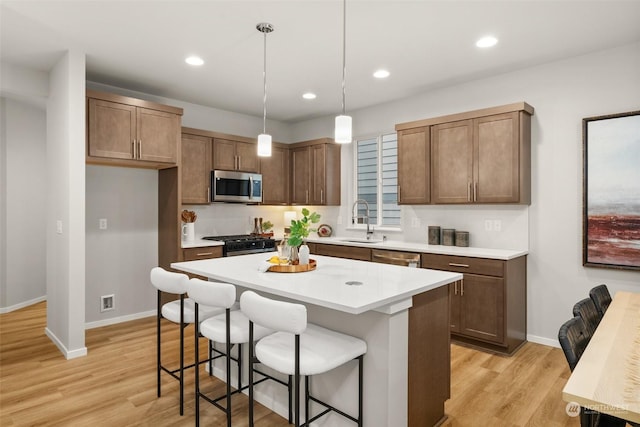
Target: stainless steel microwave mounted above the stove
(231, 186)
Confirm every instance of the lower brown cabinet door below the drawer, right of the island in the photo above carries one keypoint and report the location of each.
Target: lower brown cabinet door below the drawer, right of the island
(482, 307)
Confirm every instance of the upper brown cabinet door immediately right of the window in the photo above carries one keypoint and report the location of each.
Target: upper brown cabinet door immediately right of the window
(414, 171)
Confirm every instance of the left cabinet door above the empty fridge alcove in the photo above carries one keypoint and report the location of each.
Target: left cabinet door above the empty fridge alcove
(112, 129)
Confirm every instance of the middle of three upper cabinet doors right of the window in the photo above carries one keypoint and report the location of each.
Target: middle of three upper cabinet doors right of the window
(452, 162)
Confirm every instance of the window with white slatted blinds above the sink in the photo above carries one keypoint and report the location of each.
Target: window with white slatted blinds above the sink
(377, 179)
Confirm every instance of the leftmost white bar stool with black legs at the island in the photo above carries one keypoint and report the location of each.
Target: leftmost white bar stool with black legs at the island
(181, 312)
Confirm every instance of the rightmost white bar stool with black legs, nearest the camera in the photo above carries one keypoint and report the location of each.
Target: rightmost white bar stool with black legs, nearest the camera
(299, 348)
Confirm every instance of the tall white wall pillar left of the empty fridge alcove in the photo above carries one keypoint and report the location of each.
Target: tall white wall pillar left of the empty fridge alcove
(65, 204)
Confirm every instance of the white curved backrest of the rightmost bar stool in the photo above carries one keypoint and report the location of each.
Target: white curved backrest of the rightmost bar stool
(272, 314)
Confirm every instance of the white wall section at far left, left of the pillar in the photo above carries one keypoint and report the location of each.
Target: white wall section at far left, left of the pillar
(23, 195)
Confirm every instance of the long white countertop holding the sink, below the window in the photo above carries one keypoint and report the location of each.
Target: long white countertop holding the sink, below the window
(502, 254)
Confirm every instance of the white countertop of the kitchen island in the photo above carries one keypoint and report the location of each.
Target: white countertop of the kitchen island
(382, 286)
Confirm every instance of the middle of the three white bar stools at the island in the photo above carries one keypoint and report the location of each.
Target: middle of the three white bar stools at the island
(229, 328)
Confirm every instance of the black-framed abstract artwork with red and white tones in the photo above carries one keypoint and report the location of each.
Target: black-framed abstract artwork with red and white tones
(611, 179)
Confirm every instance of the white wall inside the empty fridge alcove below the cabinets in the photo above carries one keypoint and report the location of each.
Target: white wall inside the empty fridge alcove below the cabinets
(119, 259)
